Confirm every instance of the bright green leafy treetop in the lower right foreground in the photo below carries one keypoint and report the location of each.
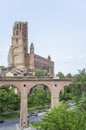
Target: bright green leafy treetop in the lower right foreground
(63, 118)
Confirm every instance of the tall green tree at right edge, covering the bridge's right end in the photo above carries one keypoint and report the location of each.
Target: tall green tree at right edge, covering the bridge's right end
(76, 91)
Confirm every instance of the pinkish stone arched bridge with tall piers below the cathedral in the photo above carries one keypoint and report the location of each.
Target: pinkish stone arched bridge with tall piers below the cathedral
(25, 84)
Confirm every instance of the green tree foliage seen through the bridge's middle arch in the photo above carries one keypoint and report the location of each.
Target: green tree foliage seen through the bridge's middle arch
(39, 97)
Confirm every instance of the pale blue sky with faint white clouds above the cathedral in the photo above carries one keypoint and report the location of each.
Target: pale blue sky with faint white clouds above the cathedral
(56, 28)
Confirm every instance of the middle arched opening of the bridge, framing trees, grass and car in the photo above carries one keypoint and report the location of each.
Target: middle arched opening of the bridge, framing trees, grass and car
(39, 101)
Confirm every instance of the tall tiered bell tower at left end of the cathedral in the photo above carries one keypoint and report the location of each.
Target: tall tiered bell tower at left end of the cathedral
(19, 48)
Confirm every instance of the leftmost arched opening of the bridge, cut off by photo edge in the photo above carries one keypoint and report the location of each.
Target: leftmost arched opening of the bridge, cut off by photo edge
(10, 98)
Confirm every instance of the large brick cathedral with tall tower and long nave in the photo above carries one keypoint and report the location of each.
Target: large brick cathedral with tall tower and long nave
(20, 61)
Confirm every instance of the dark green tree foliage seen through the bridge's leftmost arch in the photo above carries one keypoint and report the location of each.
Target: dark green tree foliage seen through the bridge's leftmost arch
(9, 101)
